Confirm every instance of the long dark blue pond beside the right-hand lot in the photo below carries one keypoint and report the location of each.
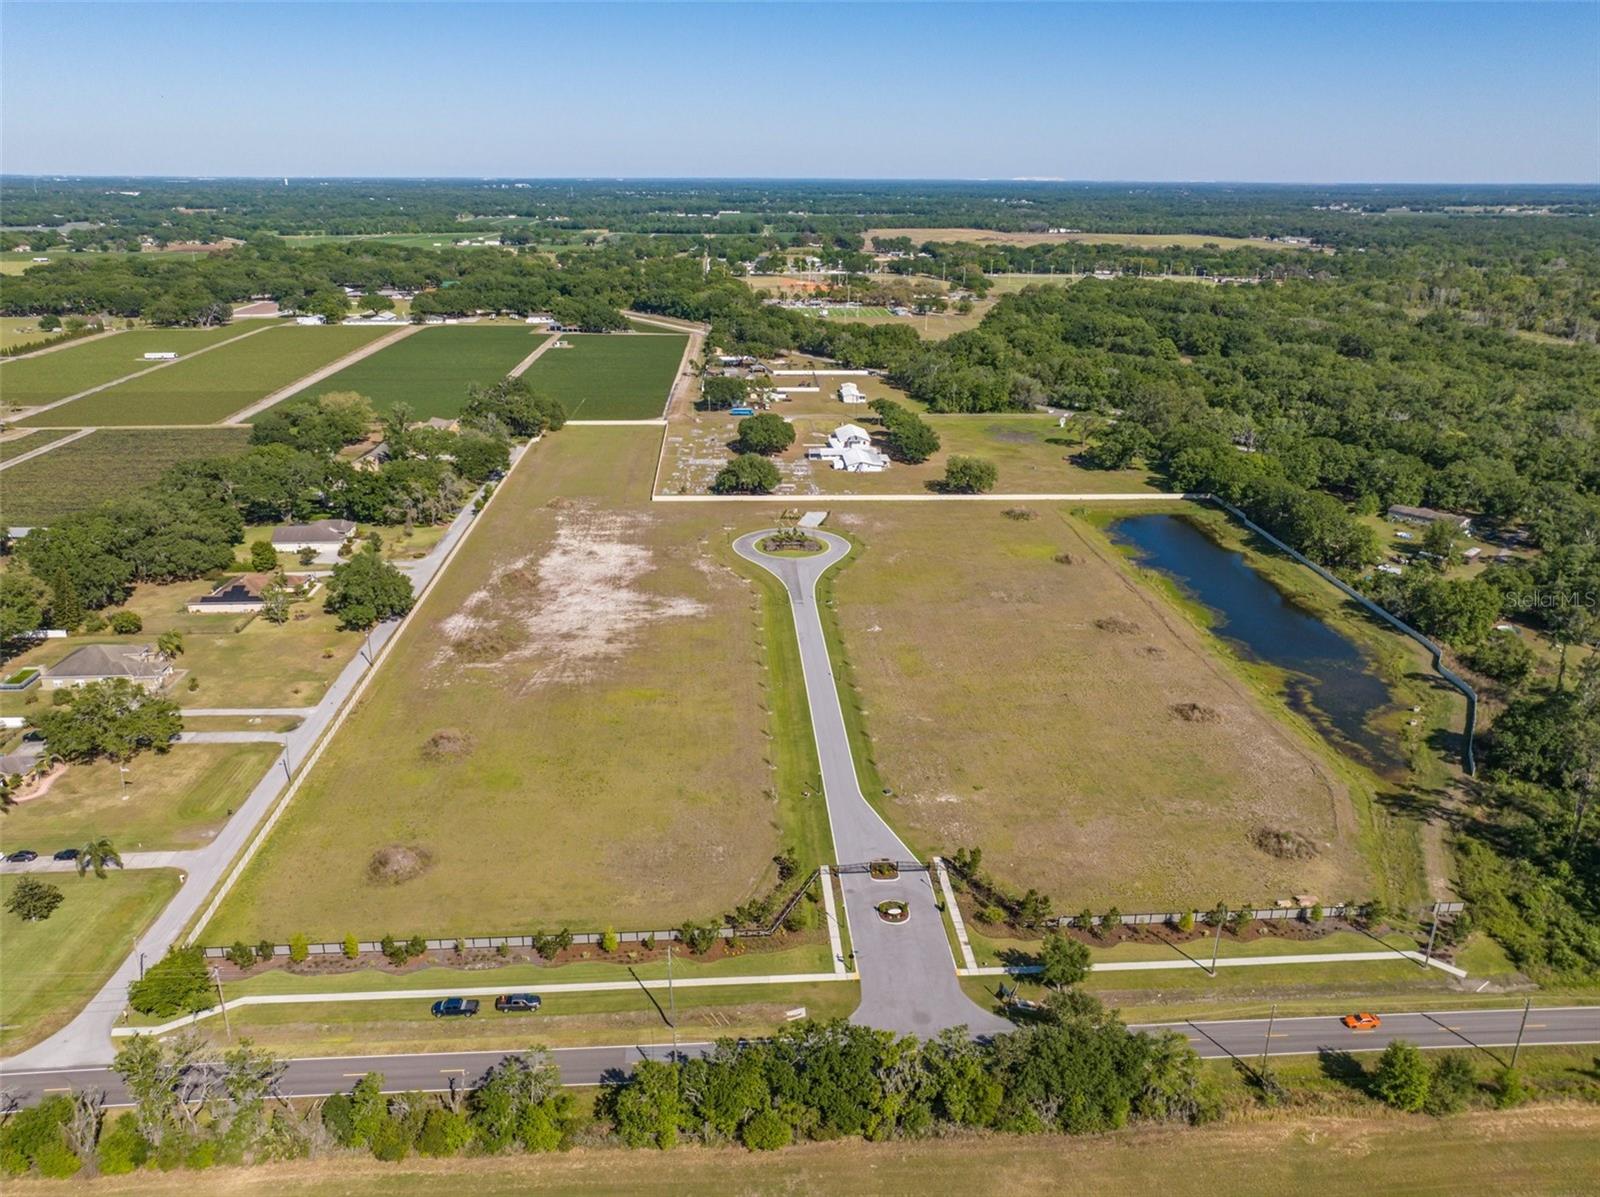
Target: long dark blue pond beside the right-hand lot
(1329, 678)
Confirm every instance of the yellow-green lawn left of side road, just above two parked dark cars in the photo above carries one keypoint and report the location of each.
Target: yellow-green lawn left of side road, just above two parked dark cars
(178, 799)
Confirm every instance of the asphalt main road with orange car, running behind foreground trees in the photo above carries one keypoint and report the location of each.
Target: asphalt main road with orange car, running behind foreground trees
(1492, 1030)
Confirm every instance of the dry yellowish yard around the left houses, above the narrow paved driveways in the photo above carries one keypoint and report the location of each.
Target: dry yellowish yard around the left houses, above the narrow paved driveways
(263, 665)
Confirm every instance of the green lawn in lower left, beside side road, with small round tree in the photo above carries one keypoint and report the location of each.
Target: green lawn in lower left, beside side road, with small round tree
(52, 969)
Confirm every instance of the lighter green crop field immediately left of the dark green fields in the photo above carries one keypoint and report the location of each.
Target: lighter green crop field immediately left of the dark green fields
(217, 385)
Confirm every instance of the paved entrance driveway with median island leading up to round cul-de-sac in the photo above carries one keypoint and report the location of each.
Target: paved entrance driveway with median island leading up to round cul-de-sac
(908, 974)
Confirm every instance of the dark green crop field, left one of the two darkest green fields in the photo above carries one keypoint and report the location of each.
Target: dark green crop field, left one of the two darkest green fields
(431, 370)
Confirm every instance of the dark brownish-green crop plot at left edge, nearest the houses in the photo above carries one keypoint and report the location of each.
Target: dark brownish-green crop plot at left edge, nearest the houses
(105, 465)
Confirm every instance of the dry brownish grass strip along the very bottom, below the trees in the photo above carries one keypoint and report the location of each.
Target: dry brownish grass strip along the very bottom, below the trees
(1545, 1150)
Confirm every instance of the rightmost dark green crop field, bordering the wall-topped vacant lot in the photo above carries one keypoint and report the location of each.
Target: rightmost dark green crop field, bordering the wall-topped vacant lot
(610, 377)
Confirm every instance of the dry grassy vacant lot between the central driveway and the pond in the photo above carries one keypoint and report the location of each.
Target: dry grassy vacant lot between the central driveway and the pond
(1031, 708)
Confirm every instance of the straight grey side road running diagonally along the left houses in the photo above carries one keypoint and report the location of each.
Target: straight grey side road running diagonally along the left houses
(87, 1038)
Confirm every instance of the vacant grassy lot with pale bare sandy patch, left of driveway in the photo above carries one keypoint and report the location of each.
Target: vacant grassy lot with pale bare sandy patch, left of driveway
(479, 787)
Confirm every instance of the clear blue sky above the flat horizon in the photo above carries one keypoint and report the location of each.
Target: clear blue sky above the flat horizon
(1263, 92)
